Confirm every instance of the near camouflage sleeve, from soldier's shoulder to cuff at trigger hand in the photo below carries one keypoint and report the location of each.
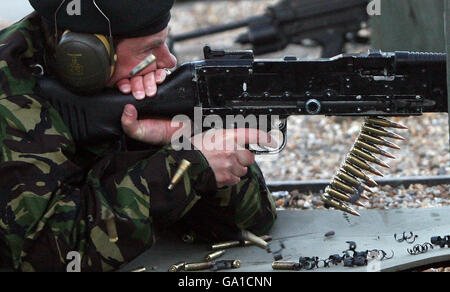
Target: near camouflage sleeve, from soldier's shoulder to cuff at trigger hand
(51, 207)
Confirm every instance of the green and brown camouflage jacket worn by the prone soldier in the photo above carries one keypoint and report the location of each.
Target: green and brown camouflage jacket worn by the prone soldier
(57, 197)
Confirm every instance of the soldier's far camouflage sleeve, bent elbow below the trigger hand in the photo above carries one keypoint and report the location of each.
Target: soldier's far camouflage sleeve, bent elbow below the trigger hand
(247, 206)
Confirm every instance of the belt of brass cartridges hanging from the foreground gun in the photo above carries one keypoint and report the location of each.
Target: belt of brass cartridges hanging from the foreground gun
(350, 181)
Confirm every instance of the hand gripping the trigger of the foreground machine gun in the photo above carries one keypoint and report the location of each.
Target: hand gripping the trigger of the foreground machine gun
(226, 153)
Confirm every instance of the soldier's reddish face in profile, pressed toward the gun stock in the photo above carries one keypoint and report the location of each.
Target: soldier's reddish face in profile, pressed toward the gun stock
(130, 52)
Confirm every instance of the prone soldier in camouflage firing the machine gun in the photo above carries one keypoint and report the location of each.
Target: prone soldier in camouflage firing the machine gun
(105, 201)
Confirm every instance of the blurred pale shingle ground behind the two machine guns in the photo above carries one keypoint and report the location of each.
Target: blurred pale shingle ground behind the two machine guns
(316, 144)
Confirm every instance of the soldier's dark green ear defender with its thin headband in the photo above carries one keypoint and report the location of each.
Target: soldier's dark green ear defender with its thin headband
(85, 62)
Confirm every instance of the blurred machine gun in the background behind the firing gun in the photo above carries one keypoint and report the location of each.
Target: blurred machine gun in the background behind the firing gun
(330, 23)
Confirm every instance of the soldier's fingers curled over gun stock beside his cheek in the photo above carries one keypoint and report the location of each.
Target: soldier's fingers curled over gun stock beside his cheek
(142, 86)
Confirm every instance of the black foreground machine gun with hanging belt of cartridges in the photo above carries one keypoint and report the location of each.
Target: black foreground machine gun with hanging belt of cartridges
(373, 85)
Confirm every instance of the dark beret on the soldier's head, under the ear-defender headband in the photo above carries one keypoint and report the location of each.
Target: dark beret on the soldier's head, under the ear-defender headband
(129, 18)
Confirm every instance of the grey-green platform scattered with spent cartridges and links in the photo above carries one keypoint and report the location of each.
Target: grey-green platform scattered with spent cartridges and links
(303, 235)
